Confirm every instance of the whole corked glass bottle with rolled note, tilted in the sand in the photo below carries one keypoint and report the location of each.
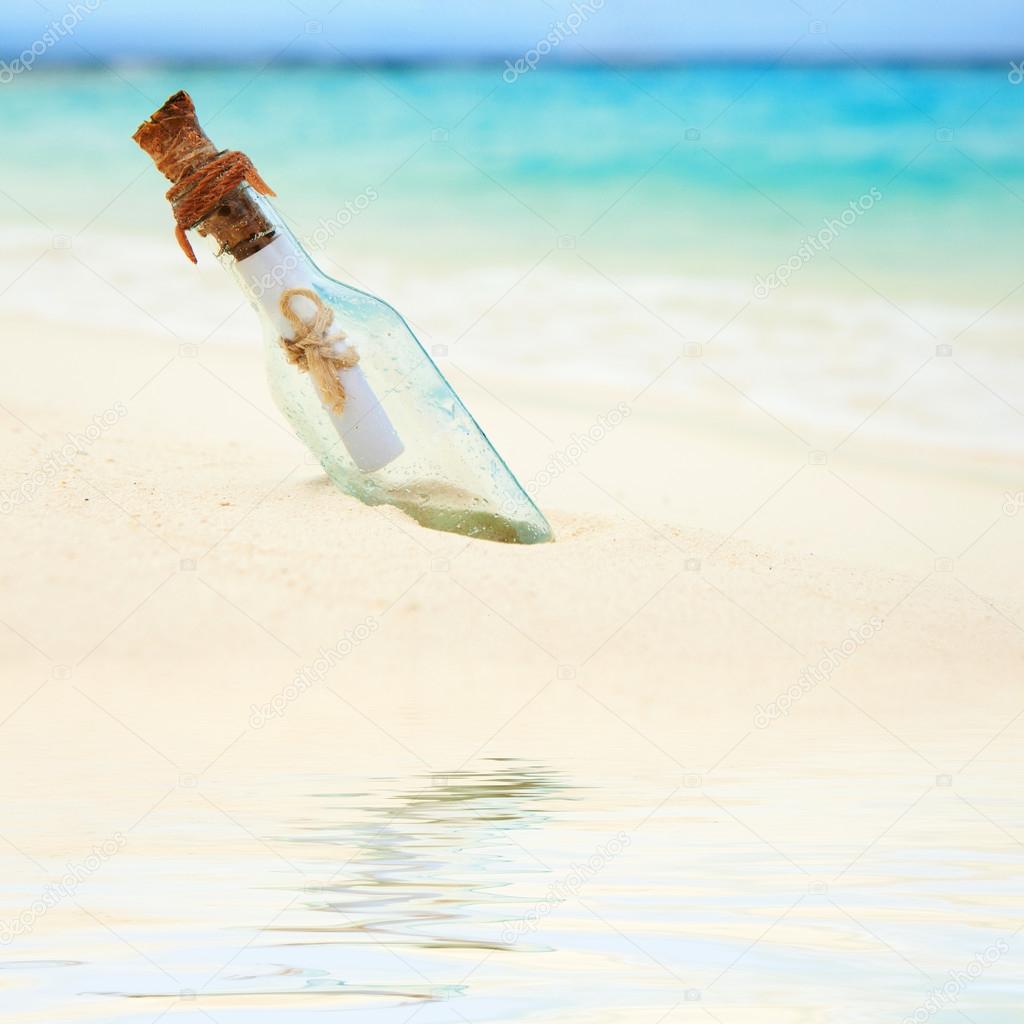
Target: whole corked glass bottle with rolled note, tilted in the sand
(345, 368)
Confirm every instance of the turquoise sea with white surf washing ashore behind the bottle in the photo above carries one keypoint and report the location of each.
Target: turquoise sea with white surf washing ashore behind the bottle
(633, 227)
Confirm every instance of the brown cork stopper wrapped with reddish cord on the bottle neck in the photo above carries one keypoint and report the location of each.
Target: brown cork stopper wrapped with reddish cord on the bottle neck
(218, 204)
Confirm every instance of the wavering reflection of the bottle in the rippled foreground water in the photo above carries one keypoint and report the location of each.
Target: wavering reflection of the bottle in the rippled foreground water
(403, 899)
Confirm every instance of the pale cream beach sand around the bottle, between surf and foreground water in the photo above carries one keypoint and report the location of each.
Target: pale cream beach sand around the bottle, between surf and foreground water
(193, 557)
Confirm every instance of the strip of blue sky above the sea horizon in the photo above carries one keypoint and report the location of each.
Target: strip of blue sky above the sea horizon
(130, 30)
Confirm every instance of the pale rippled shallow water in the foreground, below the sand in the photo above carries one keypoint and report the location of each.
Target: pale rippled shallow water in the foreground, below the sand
(516, 890)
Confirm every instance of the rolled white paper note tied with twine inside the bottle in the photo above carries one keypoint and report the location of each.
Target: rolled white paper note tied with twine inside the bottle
(363, 424)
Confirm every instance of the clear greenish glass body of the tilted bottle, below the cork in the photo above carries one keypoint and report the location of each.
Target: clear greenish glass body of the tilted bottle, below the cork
(403, 437)
